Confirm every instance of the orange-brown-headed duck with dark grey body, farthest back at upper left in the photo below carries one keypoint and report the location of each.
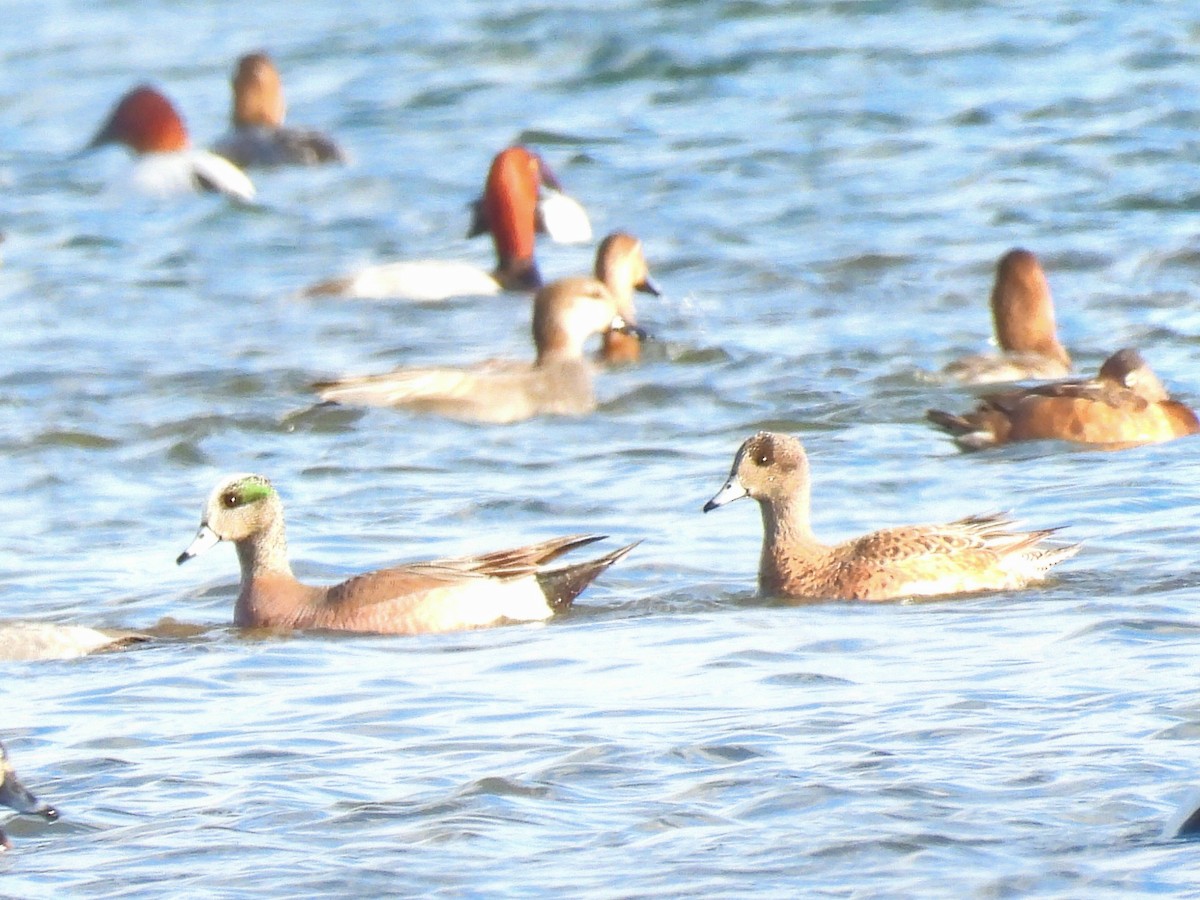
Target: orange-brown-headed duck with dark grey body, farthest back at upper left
(257, 135)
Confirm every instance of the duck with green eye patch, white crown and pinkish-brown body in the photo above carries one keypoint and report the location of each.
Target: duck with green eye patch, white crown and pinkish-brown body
(412, 599)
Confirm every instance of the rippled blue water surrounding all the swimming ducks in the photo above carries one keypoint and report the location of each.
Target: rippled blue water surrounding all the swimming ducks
(824, 190)
